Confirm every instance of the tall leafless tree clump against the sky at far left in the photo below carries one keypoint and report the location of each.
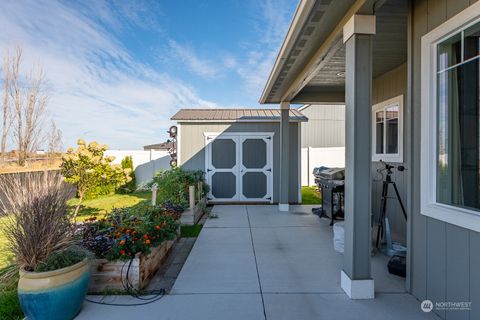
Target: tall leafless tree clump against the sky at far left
(29, 99)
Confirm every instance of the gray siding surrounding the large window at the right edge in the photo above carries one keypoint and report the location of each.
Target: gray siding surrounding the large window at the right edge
(444, 258)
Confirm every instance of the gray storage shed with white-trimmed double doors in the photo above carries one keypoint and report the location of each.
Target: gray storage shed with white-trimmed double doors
(240, 152)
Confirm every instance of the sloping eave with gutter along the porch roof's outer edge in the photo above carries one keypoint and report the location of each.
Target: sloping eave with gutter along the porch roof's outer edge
(315, 27)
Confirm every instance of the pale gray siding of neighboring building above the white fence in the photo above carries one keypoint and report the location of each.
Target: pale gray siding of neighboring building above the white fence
(325, 127)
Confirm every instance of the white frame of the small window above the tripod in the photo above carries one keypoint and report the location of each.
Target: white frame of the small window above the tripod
(388, 157)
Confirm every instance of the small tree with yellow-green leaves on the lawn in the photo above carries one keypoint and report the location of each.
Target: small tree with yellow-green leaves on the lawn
(88, 168)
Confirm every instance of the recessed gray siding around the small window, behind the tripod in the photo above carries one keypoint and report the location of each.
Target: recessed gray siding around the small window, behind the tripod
(387, 86)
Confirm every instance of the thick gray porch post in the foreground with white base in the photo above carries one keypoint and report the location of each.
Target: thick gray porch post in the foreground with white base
(356, 277)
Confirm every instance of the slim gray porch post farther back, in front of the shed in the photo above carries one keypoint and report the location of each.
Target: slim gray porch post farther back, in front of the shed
(283, 203)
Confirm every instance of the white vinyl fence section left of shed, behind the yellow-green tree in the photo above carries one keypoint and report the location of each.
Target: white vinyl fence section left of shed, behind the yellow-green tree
(145, 163)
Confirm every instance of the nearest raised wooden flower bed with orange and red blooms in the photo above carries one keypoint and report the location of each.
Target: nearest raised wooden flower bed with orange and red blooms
(132, 241)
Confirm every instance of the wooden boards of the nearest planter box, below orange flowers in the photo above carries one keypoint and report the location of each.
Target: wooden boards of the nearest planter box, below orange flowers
(108, 275)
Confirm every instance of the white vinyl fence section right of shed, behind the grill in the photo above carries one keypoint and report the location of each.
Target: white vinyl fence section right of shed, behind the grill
(317, 157)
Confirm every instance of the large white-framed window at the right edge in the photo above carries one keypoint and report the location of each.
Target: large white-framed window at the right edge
(450, 148)
